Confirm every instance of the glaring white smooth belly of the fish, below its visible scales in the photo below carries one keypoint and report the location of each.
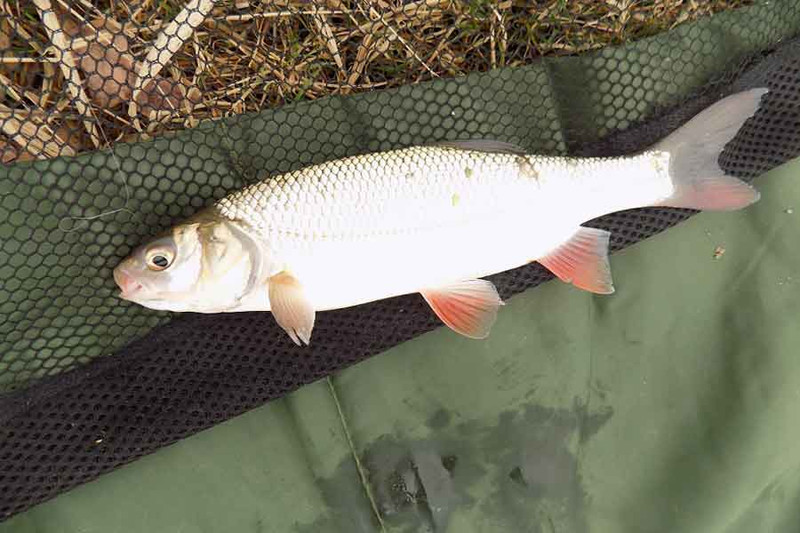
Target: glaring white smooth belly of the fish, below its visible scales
(341, 276)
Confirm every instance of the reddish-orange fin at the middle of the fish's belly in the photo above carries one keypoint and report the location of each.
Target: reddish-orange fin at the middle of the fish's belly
(467, 307)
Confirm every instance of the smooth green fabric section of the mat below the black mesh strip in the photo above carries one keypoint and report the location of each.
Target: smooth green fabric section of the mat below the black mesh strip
(671, 406)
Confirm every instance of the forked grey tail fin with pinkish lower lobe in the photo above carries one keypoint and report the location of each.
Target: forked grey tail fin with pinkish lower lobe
(698, 180)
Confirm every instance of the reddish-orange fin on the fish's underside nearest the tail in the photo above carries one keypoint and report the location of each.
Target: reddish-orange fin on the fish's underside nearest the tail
(583, 261)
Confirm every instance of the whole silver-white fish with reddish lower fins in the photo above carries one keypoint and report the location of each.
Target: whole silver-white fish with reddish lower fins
(433, 219)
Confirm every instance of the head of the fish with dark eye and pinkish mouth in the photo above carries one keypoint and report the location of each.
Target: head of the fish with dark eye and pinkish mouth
(200, 266)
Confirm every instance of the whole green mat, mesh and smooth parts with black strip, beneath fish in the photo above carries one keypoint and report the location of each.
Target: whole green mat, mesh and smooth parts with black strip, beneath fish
(666, 407)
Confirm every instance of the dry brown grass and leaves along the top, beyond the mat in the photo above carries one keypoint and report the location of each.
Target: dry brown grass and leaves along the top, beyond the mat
(78, 74)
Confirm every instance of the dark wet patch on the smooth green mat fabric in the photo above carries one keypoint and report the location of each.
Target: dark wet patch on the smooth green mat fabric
(521, 473)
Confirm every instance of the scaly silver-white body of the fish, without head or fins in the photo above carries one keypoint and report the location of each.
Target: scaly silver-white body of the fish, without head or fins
(364, 229)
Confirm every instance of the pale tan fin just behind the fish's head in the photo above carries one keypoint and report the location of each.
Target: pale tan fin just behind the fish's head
(290, 307)
